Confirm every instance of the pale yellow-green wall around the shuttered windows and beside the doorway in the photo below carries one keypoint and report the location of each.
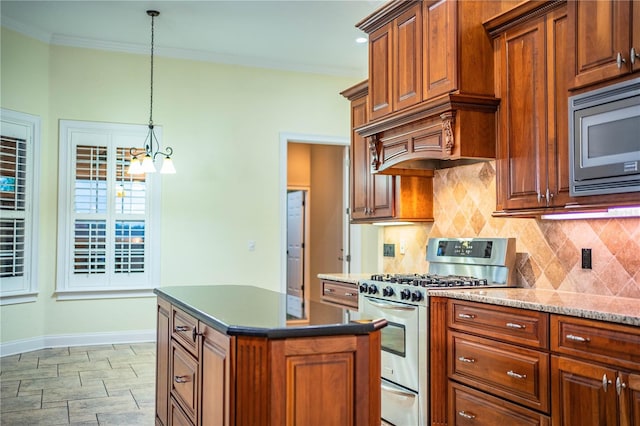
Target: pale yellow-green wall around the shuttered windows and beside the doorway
(223, 123)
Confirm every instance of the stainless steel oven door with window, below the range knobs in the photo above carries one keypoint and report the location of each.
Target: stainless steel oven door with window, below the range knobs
(399, 340)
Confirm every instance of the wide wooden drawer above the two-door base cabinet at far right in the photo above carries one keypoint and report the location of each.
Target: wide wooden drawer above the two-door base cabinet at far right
(613, 344)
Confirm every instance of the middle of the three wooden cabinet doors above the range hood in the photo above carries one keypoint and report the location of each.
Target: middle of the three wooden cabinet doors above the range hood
(407, 58)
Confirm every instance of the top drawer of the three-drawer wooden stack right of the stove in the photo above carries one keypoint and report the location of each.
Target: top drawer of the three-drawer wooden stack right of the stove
(519, 326)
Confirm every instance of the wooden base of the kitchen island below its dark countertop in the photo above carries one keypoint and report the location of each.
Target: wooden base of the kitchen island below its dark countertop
(206, 377)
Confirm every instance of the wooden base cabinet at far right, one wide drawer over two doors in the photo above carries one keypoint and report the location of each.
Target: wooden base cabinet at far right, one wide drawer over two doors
(597, 369)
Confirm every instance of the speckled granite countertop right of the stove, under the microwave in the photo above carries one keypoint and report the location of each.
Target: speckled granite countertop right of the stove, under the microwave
(620, 310)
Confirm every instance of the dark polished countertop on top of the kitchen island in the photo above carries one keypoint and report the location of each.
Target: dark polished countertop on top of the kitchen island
(254, 311)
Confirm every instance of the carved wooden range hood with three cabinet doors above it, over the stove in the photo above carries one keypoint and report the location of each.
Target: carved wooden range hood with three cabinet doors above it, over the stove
(438, 54)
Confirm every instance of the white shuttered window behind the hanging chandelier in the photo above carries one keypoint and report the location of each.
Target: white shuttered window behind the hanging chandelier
(108, 242)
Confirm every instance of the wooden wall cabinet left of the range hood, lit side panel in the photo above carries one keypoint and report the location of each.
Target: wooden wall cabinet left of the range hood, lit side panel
(376, 197)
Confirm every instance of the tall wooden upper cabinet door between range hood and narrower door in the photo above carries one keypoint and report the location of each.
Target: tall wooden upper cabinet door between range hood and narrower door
(522, 161)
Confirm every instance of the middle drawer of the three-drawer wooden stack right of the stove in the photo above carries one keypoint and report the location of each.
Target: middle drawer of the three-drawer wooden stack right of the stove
(518, 374)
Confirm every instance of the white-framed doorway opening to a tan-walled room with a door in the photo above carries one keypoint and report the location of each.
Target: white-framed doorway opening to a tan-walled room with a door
(317, 167)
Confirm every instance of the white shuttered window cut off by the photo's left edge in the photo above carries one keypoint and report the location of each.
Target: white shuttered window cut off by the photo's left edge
(19, 140)
